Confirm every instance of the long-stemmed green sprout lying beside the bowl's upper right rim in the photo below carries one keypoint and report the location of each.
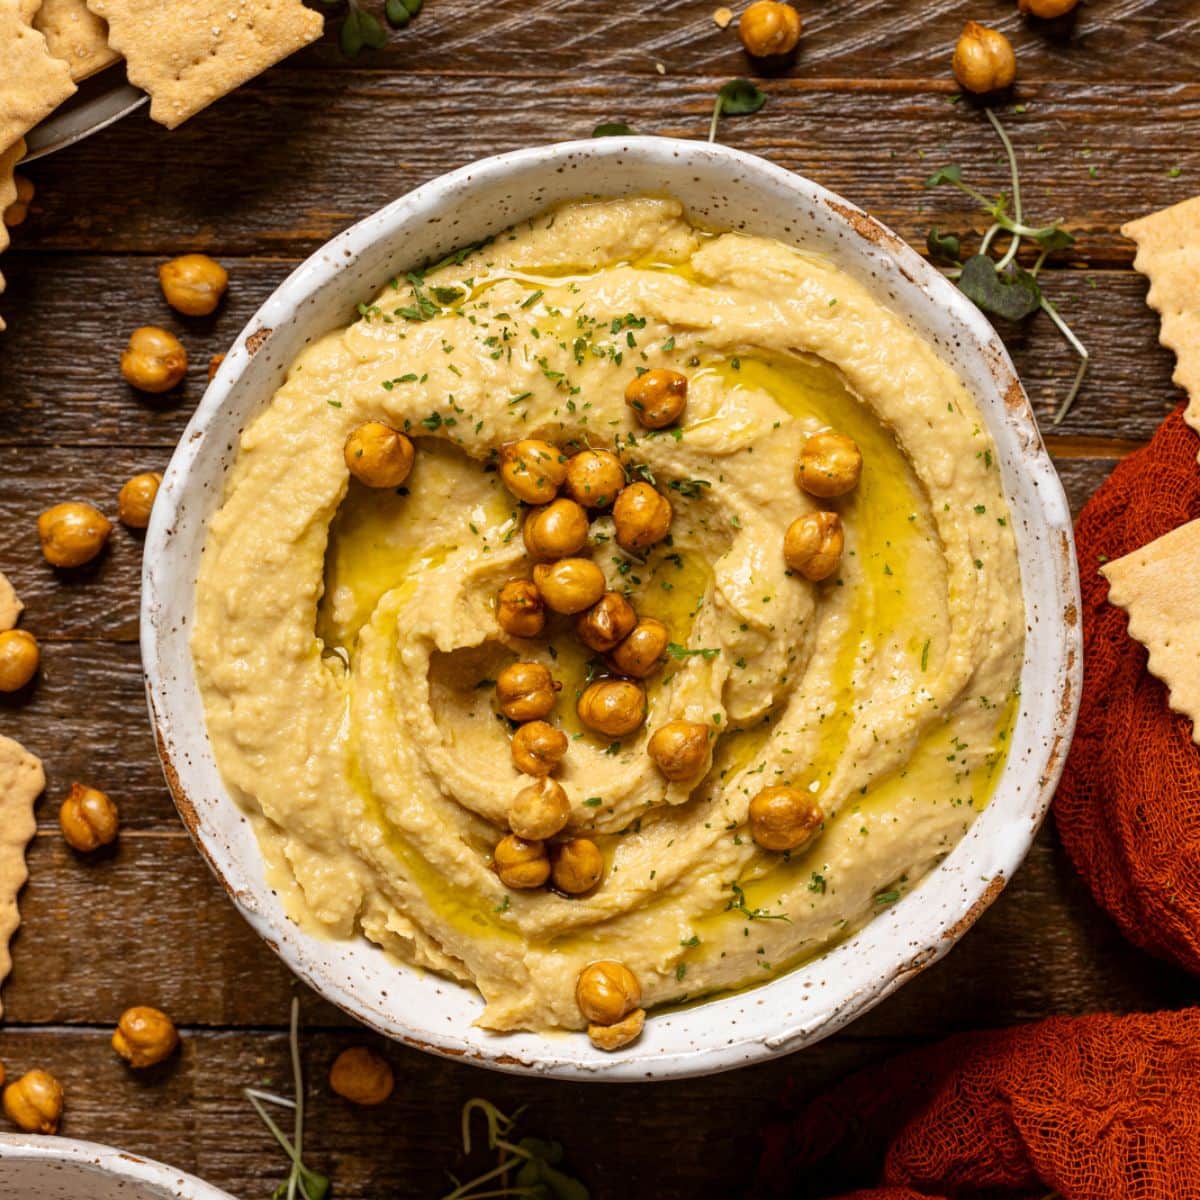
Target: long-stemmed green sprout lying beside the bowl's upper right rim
(1001, 286)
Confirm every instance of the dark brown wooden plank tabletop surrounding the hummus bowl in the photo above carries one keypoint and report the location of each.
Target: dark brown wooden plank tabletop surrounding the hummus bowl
(1108, 131)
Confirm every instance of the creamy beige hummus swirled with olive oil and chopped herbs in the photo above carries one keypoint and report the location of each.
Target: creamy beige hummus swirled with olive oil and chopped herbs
(347, 645)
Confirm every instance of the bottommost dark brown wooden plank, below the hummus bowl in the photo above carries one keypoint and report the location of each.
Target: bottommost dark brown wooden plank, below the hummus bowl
(191, 1113)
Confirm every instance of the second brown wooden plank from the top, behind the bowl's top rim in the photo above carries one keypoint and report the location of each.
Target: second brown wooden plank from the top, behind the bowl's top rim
(364, 139)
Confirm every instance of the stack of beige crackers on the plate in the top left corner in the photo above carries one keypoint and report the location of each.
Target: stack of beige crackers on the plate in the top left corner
(185, 55)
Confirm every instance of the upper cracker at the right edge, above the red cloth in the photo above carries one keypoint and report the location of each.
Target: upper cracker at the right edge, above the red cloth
(1169, 256)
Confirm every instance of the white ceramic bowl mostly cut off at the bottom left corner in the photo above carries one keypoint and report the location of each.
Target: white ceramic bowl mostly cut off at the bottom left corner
(61, 1169)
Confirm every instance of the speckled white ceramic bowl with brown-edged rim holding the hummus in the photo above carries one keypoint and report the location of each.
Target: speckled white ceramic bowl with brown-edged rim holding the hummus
(724, 189)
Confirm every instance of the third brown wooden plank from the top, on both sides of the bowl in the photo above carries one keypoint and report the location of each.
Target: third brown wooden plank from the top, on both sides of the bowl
(61, 383)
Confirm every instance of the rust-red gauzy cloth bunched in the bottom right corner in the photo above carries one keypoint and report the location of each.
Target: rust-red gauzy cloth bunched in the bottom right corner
(1088, 1108)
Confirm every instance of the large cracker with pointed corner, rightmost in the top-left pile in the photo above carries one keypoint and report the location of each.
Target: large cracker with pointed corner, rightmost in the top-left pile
(190, 53)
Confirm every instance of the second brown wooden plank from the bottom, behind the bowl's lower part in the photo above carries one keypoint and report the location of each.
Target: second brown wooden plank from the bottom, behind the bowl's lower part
(148, 923)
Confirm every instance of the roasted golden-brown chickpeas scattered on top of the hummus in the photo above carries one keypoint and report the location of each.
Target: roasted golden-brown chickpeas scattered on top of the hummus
(536, 853)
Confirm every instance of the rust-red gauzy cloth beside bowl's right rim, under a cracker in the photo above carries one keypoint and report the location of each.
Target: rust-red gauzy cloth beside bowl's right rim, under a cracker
(1129, 807)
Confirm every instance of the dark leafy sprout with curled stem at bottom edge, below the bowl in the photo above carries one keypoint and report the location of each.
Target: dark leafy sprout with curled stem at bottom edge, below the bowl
(530, 1167)
